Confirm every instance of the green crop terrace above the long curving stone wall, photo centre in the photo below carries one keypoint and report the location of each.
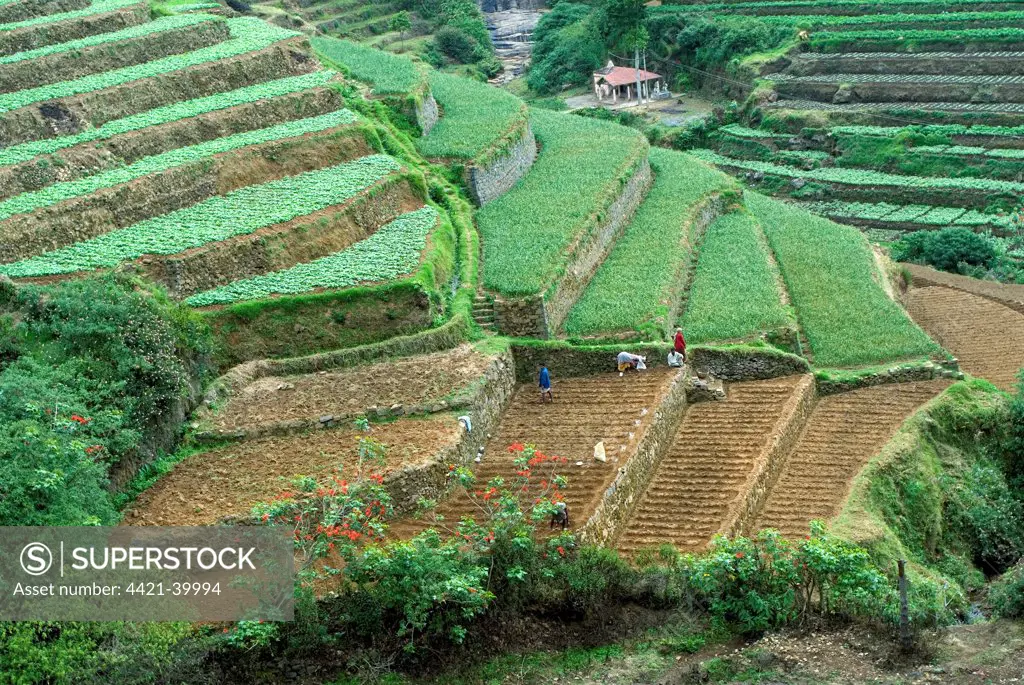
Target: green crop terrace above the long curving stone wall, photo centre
(581, 169)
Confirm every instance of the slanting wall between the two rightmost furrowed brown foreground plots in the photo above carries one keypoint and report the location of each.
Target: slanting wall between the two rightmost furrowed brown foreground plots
(770, 463)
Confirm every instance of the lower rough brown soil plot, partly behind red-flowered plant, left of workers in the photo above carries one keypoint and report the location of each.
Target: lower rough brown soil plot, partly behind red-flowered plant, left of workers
(228, 482)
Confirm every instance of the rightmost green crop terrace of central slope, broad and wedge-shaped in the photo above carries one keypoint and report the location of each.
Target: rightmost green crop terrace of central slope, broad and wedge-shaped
(833, 283)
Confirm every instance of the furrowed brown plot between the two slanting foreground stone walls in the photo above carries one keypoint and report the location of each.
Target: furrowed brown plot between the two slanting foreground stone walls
(706, 468)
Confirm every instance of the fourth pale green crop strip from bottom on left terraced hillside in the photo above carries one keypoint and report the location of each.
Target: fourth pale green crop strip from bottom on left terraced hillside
(168, 114)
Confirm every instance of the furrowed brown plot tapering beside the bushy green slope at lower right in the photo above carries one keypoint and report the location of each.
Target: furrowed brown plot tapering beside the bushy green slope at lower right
(843, 433)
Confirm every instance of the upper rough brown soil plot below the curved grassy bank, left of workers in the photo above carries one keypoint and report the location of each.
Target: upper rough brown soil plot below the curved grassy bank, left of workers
(418, 380)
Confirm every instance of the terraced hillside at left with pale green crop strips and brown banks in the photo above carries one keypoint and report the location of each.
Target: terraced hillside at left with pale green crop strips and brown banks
(218, 158)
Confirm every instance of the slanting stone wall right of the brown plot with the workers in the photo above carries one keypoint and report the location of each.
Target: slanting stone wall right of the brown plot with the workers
(620, 499)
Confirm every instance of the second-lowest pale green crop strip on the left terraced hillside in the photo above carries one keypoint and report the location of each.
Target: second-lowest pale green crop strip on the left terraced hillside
(219, 219)
